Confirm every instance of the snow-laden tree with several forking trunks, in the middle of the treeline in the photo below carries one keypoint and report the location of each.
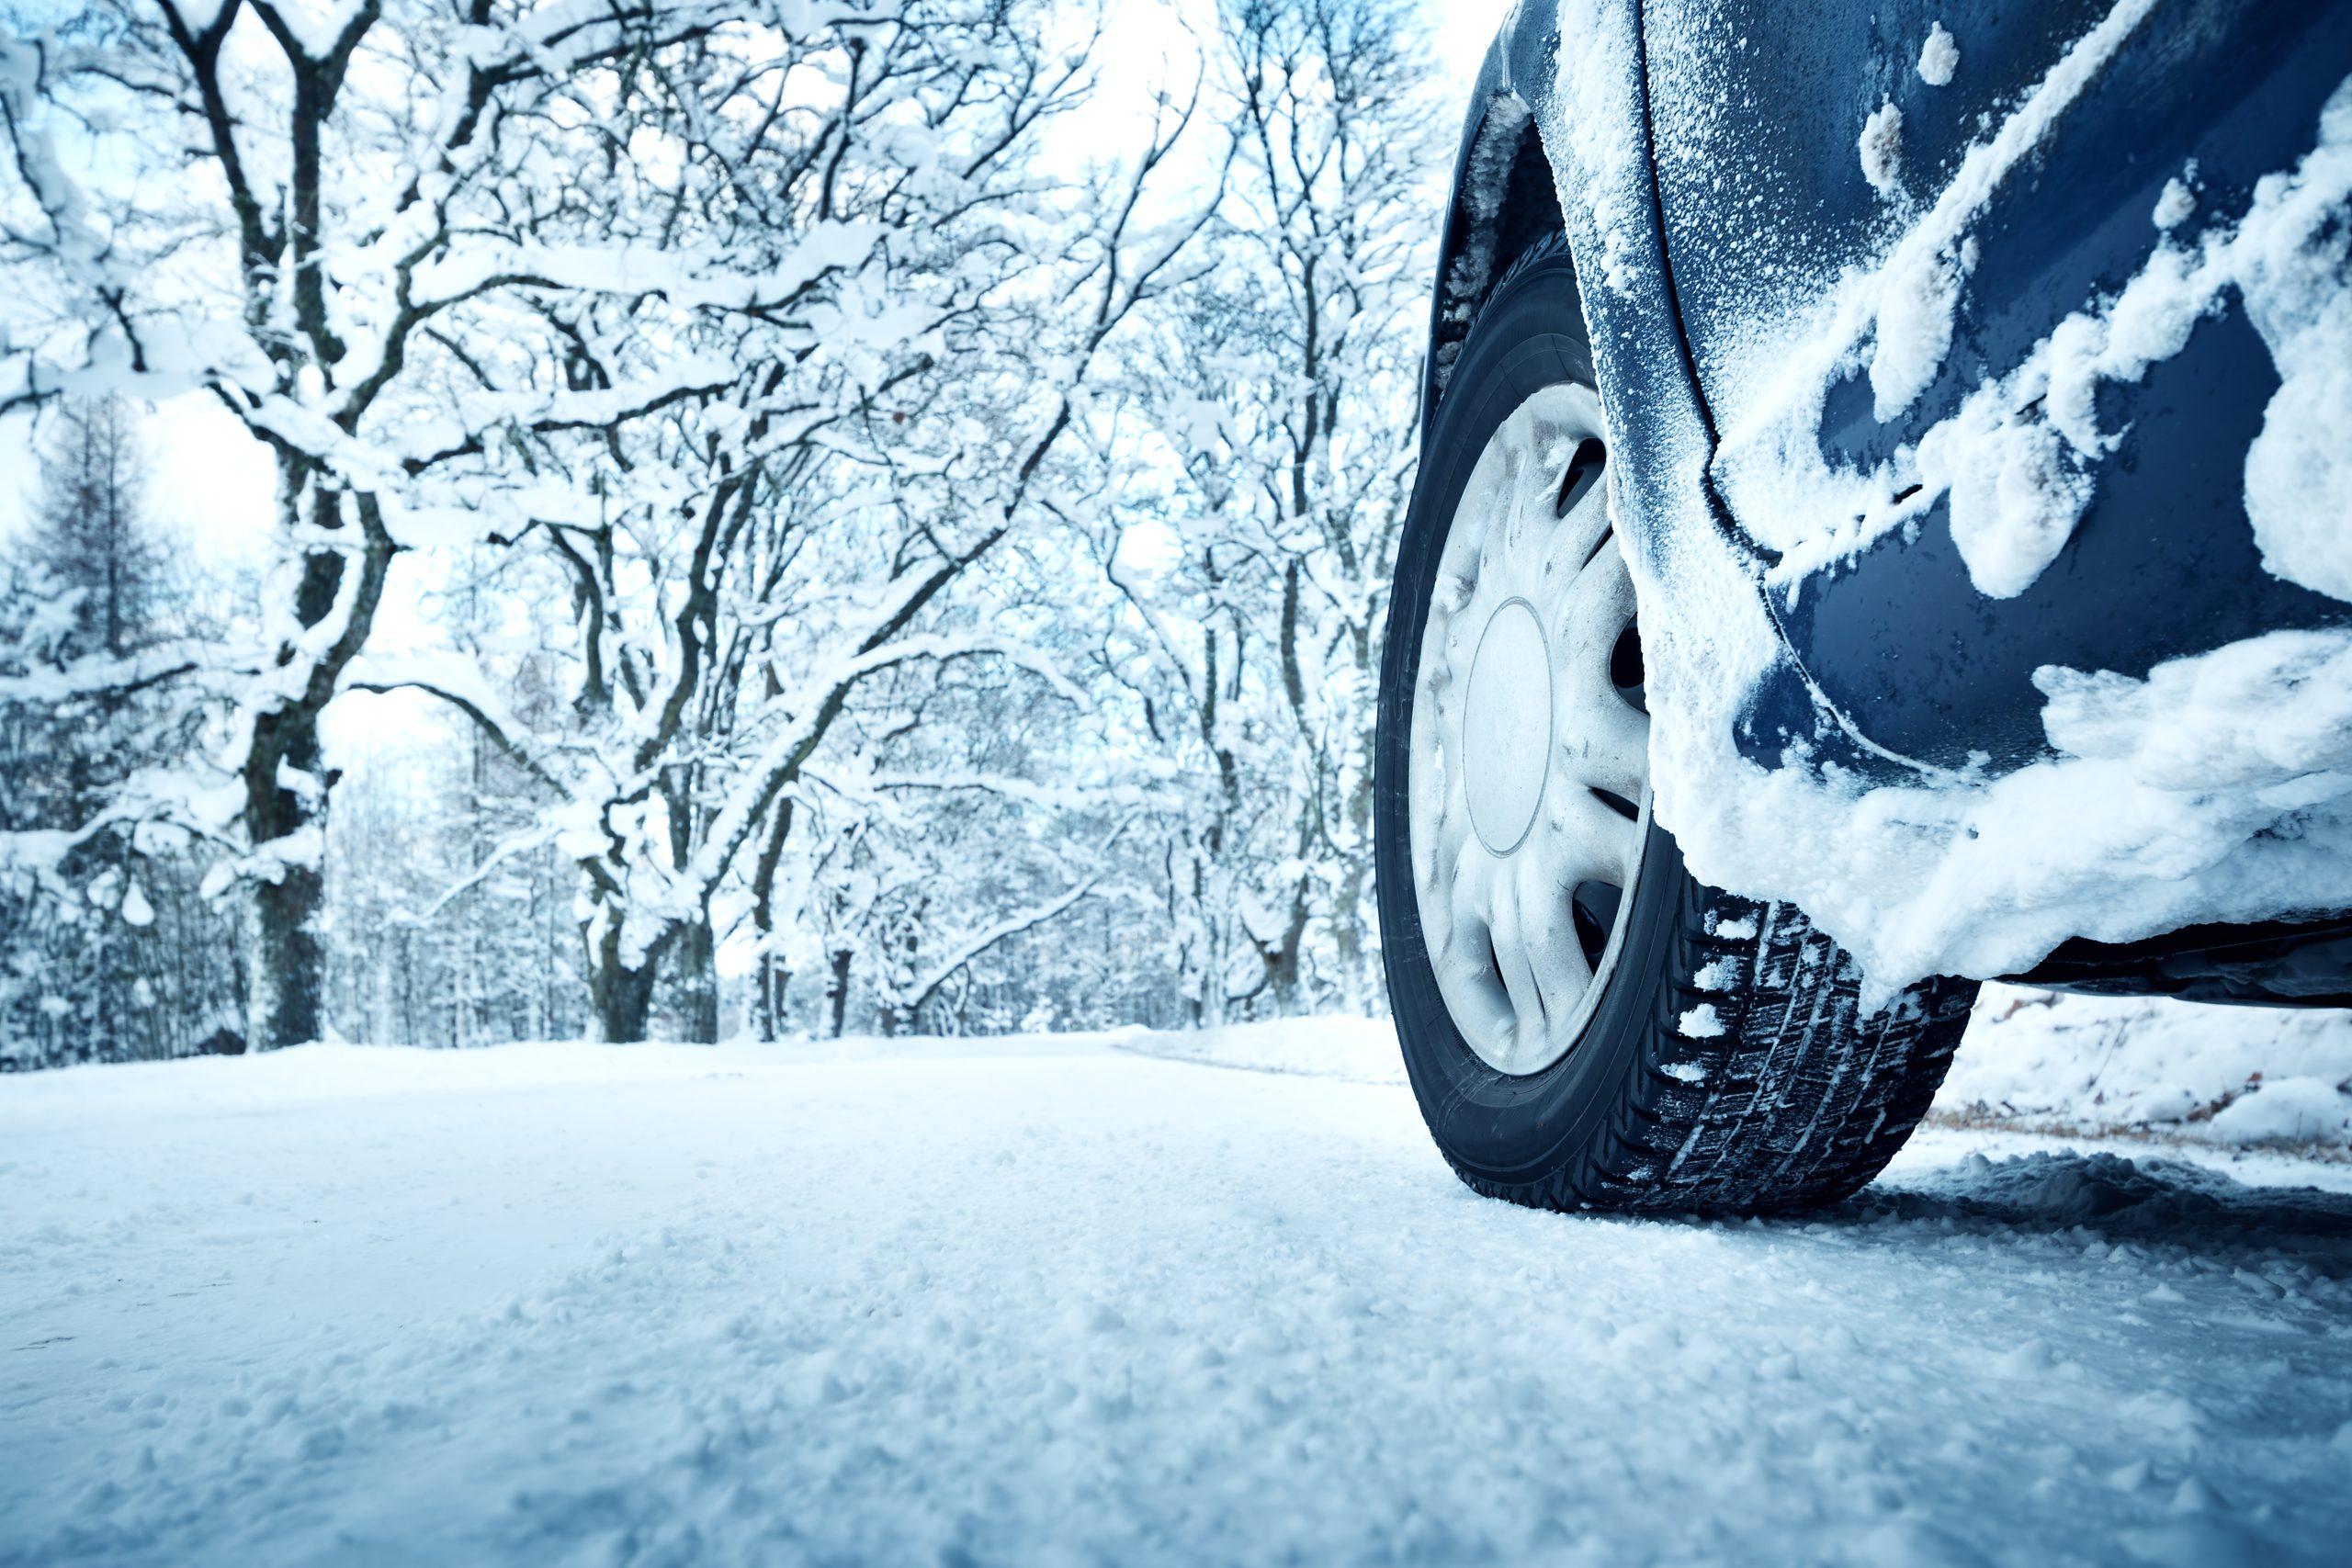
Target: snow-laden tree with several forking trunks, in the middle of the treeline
(744, 558)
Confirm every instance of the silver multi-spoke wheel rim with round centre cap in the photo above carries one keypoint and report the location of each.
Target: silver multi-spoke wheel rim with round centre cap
(1530, 744)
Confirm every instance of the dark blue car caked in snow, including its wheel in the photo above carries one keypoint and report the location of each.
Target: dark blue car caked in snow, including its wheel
(1885, 523)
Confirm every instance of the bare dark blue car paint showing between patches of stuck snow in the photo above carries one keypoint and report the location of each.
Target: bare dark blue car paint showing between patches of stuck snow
(1906, 650)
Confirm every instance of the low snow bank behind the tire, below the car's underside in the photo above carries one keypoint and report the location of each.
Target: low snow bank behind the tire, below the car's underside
(2224, 1076)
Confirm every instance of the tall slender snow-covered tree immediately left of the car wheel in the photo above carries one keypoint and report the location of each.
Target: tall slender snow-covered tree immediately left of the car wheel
(1285, 391)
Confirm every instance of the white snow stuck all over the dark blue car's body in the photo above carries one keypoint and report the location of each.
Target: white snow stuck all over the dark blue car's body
(2153, 808)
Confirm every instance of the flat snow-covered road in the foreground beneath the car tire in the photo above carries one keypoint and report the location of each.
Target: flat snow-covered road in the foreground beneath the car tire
(1057, 1304)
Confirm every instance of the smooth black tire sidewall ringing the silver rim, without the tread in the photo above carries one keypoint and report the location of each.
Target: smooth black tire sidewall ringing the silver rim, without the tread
(1499, 1127)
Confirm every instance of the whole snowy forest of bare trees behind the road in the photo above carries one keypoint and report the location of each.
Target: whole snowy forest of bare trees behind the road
(846, 518)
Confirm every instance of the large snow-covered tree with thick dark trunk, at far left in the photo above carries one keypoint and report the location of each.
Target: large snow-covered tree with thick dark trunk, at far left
(366, 229)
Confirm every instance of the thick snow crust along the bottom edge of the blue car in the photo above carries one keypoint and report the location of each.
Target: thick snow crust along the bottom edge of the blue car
(2217, 789)
